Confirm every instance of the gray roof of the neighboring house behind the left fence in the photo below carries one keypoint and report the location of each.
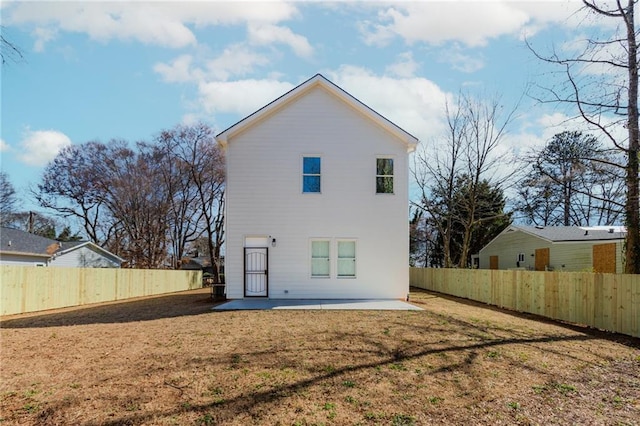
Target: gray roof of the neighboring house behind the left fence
(15, 241)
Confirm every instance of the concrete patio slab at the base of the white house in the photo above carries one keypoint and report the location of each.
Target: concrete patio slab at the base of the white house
(354, 304)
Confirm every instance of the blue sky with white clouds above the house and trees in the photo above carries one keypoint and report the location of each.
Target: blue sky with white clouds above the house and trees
(103, 70)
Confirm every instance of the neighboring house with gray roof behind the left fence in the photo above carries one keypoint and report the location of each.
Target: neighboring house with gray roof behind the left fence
(22, 248)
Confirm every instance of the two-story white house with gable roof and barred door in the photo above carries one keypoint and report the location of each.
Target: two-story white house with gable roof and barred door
(317, 199)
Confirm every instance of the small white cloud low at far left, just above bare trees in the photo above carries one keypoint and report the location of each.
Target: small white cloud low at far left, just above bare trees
(38, 147)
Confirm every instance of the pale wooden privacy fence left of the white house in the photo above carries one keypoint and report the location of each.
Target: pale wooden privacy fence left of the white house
(30, 288)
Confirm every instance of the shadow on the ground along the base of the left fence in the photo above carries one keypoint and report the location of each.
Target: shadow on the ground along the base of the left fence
(193, 302)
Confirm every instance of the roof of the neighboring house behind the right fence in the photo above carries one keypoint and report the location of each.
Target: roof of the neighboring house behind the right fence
(571, 233)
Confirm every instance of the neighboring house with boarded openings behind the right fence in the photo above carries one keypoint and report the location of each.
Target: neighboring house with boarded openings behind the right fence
(558, 248)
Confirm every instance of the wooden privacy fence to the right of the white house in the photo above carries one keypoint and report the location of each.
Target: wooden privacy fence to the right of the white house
(605, 301)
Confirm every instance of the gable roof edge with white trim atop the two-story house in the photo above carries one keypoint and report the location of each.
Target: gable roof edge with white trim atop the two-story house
(318, 80)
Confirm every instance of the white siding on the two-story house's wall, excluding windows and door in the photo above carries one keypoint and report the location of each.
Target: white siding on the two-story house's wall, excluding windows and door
(264, 197)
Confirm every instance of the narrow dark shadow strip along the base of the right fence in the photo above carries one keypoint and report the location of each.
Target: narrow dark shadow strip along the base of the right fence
(623, 339)
